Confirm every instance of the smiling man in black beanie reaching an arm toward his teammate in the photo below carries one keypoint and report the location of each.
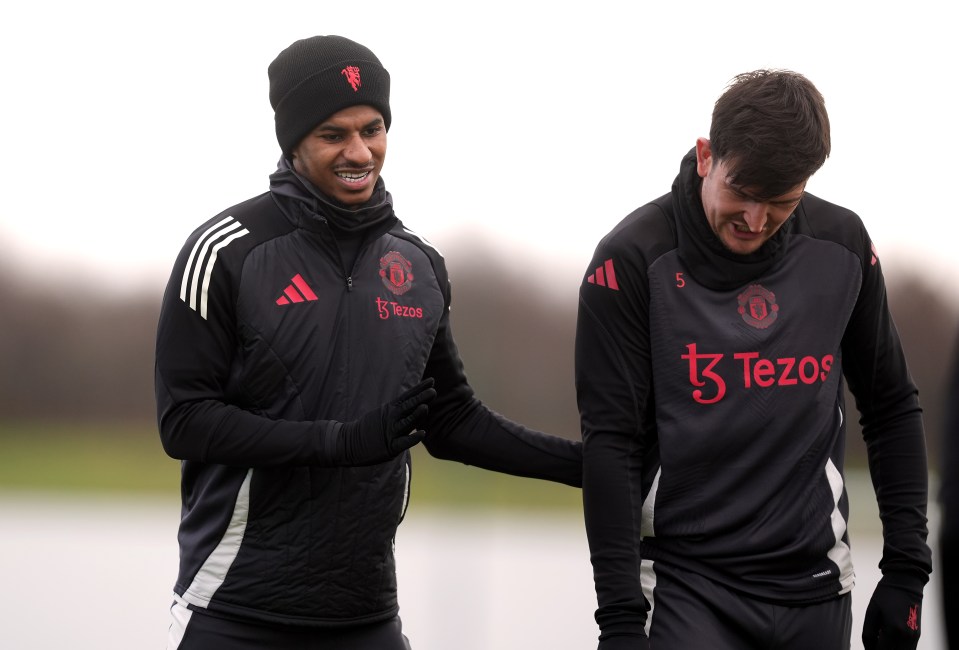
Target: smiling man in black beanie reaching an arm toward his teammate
(303, 348)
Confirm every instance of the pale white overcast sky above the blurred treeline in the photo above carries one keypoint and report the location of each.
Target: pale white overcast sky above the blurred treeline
(125, 125)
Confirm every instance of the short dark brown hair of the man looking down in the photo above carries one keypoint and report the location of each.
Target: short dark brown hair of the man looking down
(772, 129)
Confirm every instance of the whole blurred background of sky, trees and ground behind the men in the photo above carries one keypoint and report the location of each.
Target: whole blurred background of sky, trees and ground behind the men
(522, 133)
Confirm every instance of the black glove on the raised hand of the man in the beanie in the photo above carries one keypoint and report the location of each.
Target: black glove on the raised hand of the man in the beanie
(386, 431)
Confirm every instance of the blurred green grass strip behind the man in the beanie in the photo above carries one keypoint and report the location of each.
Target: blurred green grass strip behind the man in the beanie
(128, 459)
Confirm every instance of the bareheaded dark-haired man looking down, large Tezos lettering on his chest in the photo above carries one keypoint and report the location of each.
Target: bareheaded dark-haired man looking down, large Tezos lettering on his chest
(717, 327)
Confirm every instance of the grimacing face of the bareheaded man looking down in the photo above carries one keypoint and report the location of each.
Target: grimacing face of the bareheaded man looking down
(742, 221)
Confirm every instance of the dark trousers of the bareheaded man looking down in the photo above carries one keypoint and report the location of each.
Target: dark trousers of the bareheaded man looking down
(690, 612)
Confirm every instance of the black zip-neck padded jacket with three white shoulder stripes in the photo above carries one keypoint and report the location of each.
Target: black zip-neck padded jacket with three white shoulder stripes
(266, 340)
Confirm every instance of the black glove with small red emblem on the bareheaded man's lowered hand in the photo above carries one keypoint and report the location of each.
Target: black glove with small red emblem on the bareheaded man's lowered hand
(892, 618)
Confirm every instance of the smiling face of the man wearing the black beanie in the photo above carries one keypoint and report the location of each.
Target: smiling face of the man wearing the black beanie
(344, 154)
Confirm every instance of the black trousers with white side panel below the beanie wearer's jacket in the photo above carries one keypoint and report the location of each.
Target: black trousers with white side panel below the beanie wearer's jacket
(200, 630)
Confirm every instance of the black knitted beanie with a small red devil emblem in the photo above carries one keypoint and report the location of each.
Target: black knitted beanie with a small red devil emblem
(316, 77)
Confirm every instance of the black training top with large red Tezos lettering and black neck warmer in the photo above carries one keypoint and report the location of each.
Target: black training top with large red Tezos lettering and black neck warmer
(711, 392)
